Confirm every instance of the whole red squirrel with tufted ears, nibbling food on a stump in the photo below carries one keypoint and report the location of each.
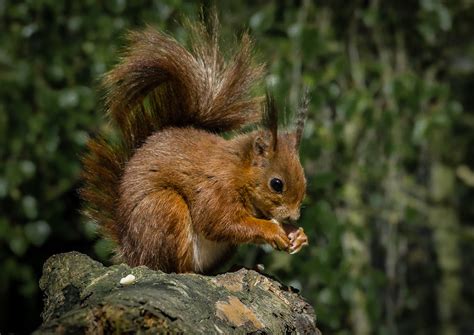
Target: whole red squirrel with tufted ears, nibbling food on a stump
(171, 191)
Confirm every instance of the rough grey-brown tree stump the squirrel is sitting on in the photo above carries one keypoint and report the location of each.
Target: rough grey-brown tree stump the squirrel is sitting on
(83, 296)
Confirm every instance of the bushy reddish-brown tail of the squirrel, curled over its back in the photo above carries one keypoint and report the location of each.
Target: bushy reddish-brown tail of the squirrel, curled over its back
(159, 83)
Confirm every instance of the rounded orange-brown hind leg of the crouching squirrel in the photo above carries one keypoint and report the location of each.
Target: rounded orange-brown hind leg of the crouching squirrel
(160, 233)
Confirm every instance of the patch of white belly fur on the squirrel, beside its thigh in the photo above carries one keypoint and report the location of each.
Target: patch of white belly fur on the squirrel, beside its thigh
(207, 253)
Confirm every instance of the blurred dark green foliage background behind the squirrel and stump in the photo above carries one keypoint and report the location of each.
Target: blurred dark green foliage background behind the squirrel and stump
(388, 148)
